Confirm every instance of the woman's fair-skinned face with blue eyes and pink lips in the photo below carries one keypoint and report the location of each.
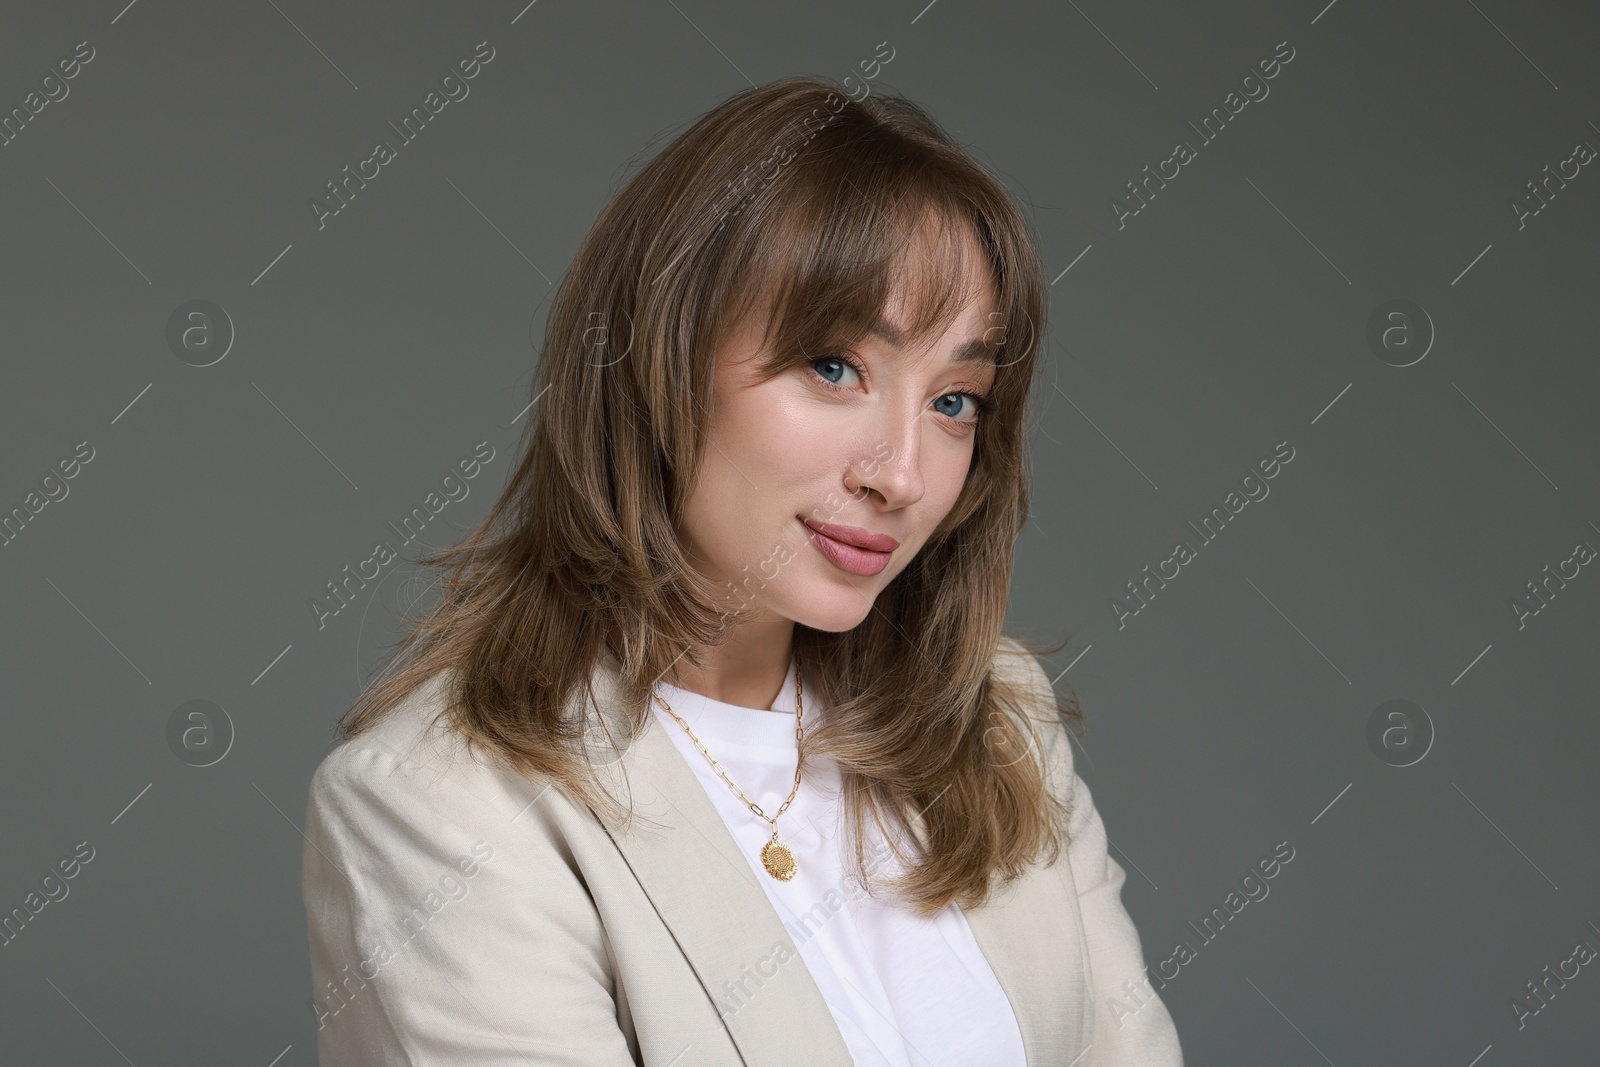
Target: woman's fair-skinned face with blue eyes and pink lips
(873, 454)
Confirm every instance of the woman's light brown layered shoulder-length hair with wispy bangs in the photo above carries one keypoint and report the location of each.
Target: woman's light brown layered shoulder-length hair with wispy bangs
(799, 204)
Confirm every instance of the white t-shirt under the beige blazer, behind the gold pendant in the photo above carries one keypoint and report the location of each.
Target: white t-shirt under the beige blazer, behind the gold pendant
(905, 991)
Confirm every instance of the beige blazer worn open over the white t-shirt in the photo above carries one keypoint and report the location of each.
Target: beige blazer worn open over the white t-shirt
(465, 914)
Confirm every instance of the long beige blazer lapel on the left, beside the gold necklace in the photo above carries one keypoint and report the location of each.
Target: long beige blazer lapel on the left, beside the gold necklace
(705, 892)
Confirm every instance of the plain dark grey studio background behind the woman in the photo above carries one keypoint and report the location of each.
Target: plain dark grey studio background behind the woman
(1228, 316)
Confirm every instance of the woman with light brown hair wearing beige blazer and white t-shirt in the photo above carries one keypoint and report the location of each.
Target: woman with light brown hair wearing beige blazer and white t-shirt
(713, 751)
